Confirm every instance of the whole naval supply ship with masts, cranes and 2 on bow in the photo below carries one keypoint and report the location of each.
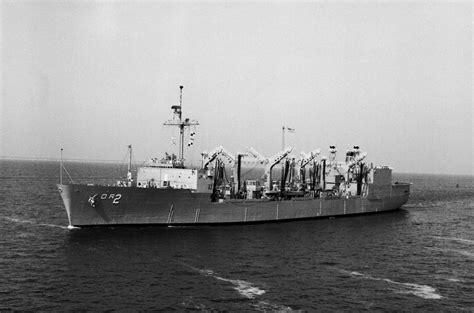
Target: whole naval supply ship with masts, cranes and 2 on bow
(234, 189)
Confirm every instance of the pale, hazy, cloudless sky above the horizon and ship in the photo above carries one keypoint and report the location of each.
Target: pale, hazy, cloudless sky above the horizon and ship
(92, 77)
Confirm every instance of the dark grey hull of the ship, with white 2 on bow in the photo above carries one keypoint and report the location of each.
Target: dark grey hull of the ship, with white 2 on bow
(90, 205)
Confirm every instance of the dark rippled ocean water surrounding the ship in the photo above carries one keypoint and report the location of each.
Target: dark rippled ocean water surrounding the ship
(419, 258)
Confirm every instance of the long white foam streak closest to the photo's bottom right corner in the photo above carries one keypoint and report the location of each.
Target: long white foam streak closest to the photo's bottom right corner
(422, 291)
